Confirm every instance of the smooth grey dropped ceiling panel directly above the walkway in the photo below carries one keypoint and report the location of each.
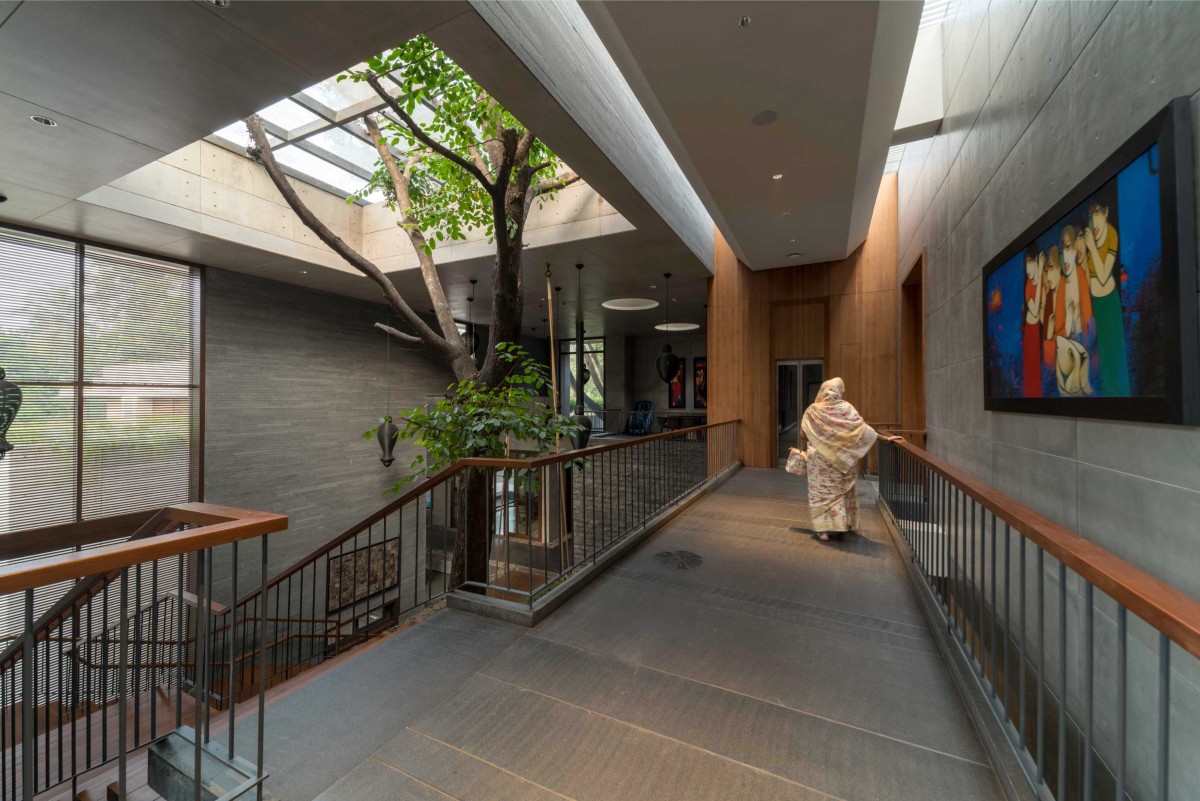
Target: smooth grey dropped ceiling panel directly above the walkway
(830, 75)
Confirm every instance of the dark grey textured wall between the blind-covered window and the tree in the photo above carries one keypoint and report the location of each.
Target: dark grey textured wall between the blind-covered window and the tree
(293, 380)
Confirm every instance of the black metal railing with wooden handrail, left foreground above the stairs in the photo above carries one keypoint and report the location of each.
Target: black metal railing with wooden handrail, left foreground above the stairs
(124, 658)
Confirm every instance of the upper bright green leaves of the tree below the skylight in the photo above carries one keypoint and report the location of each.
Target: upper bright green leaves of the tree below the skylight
(448, 201)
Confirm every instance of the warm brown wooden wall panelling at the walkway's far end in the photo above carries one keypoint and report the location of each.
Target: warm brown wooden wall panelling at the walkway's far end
(845, 312)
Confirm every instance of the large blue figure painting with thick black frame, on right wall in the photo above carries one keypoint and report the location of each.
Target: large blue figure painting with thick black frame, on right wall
(1093, 311)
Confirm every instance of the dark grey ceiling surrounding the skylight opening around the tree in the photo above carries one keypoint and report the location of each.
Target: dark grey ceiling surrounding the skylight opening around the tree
(130, 83)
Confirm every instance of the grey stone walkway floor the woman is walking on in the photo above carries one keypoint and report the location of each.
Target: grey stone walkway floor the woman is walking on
(779, 668)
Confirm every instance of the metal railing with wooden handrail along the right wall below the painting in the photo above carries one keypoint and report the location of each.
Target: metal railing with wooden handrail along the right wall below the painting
(1089, 663)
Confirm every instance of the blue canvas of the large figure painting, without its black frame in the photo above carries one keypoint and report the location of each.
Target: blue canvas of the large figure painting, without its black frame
(1079, 312)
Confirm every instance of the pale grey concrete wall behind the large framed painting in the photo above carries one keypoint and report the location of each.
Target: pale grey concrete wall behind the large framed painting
(1037, 95)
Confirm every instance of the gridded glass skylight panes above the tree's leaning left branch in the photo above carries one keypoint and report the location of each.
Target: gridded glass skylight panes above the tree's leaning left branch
(319, 137)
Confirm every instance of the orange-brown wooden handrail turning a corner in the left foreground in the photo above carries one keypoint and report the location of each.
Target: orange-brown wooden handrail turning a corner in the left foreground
(219, 526)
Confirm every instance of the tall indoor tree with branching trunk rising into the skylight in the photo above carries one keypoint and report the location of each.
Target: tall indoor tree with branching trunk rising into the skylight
(473, 167)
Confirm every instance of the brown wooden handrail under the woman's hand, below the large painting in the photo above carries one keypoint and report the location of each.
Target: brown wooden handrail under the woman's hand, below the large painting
(1171, 612)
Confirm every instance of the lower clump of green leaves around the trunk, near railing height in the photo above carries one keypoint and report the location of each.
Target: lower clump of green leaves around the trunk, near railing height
(475, 420)
